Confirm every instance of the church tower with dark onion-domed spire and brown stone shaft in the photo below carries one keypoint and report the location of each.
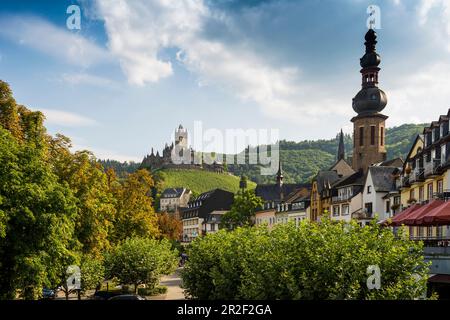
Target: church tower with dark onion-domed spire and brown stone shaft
(369, 125)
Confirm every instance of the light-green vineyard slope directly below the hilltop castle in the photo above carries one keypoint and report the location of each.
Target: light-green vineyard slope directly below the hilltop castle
(198, 181)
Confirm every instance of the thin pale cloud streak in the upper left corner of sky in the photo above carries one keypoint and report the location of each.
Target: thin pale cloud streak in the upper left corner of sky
(56, 42)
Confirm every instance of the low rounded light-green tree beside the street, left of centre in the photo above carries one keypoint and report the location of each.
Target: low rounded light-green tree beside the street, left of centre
(141, 261)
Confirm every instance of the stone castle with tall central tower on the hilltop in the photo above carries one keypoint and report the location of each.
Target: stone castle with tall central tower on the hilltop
(179, 155)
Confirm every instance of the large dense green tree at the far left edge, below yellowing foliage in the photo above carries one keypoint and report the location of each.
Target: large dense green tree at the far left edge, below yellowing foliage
(38, 217)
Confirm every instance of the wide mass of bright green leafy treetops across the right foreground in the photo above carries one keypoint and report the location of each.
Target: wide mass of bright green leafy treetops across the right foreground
(326, 260)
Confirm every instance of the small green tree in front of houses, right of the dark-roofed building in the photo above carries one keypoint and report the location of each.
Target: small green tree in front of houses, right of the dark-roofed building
(242, 211)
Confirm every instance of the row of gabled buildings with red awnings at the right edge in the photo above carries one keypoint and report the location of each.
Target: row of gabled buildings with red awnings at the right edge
(424, 182)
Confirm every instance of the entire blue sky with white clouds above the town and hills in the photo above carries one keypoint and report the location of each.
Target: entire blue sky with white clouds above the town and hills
(137, 69)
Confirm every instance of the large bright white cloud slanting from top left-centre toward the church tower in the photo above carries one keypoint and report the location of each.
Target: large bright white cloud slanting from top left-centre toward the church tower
(139, 30)
